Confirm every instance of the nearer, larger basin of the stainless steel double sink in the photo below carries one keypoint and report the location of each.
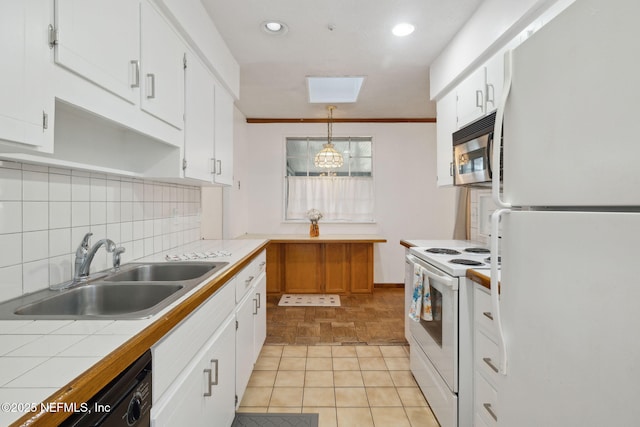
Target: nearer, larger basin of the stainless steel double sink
(102, 299)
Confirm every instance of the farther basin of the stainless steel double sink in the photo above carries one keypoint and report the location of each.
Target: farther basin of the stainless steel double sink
(164, 272)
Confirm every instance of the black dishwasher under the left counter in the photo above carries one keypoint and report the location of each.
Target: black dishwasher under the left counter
(125, 401)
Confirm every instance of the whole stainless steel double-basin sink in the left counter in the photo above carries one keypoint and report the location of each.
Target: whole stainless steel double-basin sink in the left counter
(135, 291)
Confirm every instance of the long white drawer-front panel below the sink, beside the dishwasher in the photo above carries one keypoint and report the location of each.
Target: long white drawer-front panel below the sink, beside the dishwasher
(174, 351)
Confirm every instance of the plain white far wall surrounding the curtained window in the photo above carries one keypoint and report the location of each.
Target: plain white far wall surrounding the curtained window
(408, 203)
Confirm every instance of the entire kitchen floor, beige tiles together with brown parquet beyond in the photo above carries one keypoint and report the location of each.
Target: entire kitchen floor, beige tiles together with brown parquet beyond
(350, 364)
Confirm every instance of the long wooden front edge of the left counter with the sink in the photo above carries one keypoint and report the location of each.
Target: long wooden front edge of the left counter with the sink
(82, 388)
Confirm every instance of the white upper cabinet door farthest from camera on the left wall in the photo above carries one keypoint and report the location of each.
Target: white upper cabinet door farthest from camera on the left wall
(223, 137)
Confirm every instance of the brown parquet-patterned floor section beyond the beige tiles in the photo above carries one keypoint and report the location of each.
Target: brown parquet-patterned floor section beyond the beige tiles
(361, 319)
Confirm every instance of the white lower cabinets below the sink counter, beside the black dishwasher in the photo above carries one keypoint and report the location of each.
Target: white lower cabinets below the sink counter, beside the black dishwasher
(202, 367)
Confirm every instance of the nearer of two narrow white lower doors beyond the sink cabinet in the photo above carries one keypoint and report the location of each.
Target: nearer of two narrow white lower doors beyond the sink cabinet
(244, 343)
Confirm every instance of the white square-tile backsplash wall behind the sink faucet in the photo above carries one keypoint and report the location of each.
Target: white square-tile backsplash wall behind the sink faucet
(45, 212)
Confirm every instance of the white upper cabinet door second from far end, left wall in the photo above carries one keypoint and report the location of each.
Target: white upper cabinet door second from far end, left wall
(199, 120)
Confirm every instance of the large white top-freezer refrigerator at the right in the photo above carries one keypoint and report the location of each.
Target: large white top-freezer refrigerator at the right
(568, 310)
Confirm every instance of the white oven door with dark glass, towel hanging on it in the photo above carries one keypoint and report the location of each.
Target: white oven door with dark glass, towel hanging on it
(438, 338)
